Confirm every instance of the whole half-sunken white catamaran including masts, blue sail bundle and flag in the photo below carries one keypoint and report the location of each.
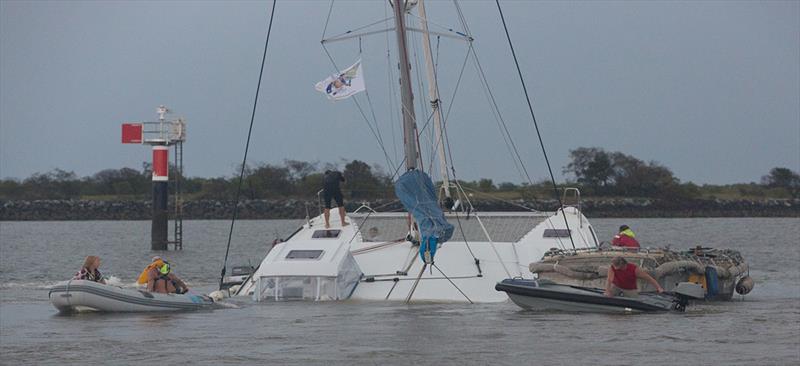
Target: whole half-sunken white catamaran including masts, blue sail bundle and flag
(423, 255)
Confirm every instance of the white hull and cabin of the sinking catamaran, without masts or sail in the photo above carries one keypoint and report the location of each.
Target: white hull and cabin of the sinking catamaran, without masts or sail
(463, 271)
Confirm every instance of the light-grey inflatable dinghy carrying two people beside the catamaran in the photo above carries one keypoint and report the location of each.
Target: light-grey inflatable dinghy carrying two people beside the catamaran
(79, 295)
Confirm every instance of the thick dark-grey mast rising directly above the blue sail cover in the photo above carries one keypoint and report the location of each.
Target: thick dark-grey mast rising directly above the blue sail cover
(409, 120)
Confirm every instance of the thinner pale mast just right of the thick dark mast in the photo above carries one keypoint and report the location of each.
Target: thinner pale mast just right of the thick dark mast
(433, 93)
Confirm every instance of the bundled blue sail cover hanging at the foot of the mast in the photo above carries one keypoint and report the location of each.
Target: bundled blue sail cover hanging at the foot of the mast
(415, 190)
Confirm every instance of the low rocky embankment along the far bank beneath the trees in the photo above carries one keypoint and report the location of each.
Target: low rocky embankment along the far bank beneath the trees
(82, 210)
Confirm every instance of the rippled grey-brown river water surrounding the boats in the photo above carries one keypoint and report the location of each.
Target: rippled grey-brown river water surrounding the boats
(762, 328)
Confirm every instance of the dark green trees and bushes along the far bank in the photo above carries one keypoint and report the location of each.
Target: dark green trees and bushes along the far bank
(598, 173)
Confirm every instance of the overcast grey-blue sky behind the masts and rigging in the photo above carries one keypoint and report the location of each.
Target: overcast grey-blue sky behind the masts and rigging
(709, 89)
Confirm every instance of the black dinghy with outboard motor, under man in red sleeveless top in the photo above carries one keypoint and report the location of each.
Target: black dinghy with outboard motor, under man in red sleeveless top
(547, 296)
